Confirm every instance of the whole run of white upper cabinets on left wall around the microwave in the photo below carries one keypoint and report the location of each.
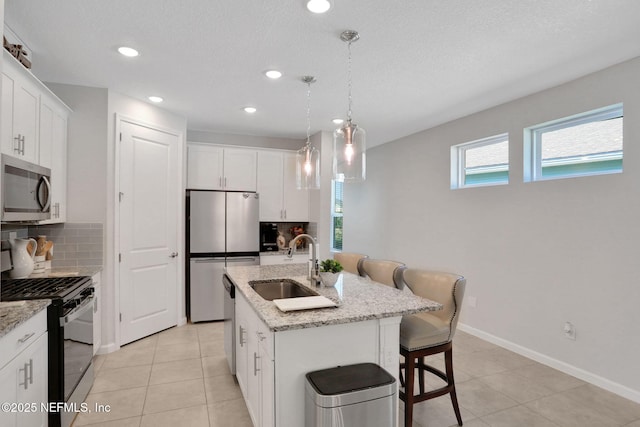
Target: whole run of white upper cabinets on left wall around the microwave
(34, 128)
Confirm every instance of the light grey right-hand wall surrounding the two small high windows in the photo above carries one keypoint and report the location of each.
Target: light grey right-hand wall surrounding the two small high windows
(535, 254)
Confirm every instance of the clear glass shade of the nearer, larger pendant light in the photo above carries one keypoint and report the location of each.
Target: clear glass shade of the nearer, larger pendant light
(349, 153)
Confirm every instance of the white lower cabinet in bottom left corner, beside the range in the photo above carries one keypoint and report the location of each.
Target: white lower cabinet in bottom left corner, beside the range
(23, 378)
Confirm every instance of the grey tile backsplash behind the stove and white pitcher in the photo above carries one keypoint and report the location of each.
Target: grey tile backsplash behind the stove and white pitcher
(74, 244)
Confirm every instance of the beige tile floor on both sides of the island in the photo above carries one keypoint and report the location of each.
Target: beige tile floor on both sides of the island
(179, 377)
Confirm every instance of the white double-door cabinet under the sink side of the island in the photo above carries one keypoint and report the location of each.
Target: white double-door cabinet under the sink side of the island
(255, 364)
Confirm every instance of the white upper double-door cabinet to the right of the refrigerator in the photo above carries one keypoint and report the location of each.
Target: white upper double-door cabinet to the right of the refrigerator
(280, 200)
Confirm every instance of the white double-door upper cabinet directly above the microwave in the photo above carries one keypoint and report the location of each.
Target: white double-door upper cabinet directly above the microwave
(20, 110)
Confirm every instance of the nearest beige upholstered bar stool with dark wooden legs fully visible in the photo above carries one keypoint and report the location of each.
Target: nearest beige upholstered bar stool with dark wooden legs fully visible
(424, 334)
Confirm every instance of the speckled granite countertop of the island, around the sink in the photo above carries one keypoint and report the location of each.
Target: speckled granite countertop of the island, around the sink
(358, 299)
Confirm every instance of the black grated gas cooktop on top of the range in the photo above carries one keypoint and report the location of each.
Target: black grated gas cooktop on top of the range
(42, 287)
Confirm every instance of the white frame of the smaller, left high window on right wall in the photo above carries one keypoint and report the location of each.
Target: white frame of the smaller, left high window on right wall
(458, 162)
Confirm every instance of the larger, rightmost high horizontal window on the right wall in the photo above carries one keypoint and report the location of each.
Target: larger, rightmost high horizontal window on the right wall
(586, 144)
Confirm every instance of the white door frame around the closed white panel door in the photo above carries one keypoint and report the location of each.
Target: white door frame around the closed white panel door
(180, 294)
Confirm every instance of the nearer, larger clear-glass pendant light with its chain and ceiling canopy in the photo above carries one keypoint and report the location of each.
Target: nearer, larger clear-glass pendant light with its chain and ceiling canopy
(349, 145)
